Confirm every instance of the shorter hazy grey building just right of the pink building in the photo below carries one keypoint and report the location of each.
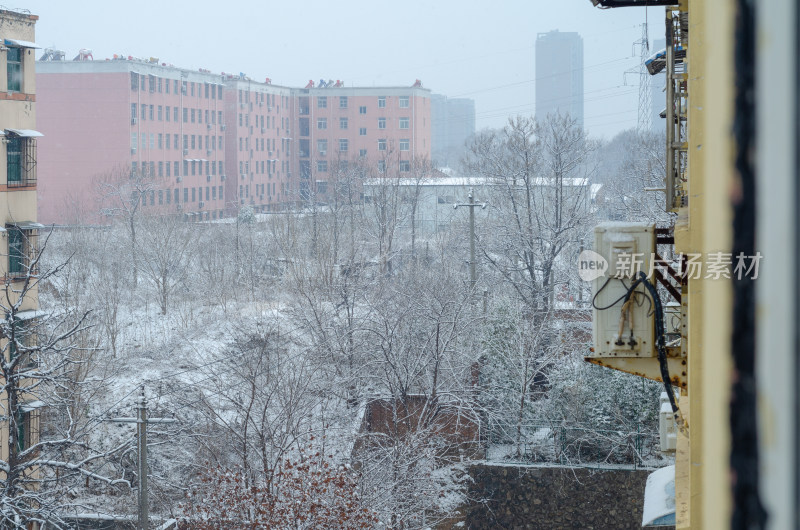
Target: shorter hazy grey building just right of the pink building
(452, 124)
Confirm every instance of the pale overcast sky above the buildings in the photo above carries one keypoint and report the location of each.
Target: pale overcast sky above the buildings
(460, 48)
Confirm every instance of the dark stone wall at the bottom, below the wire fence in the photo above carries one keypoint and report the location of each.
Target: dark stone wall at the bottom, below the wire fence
(555, 497)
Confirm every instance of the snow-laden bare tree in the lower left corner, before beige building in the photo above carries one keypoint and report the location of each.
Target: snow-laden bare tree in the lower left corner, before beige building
(40, 366)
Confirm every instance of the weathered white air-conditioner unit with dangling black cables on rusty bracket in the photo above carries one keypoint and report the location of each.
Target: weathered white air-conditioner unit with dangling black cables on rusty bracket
(620, 329)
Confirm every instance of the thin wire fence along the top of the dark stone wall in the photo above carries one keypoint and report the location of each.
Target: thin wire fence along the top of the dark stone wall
(573, 444)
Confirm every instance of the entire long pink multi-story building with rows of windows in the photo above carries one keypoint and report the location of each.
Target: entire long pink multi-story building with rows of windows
(208, 143)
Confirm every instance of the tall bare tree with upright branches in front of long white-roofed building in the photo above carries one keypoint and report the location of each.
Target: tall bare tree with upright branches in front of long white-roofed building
(539, 176)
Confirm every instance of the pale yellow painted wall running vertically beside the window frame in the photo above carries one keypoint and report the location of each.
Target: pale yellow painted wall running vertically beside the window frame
(702, 477)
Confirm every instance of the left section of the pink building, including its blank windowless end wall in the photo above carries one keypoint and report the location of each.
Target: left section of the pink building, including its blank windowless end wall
(107, 121)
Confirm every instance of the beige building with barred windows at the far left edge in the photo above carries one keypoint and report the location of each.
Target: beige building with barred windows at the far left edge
(19, 229)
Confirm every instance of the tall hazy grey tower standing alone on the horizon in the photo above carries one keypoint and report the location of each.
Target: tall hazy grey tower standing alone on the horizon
(559, 75)
